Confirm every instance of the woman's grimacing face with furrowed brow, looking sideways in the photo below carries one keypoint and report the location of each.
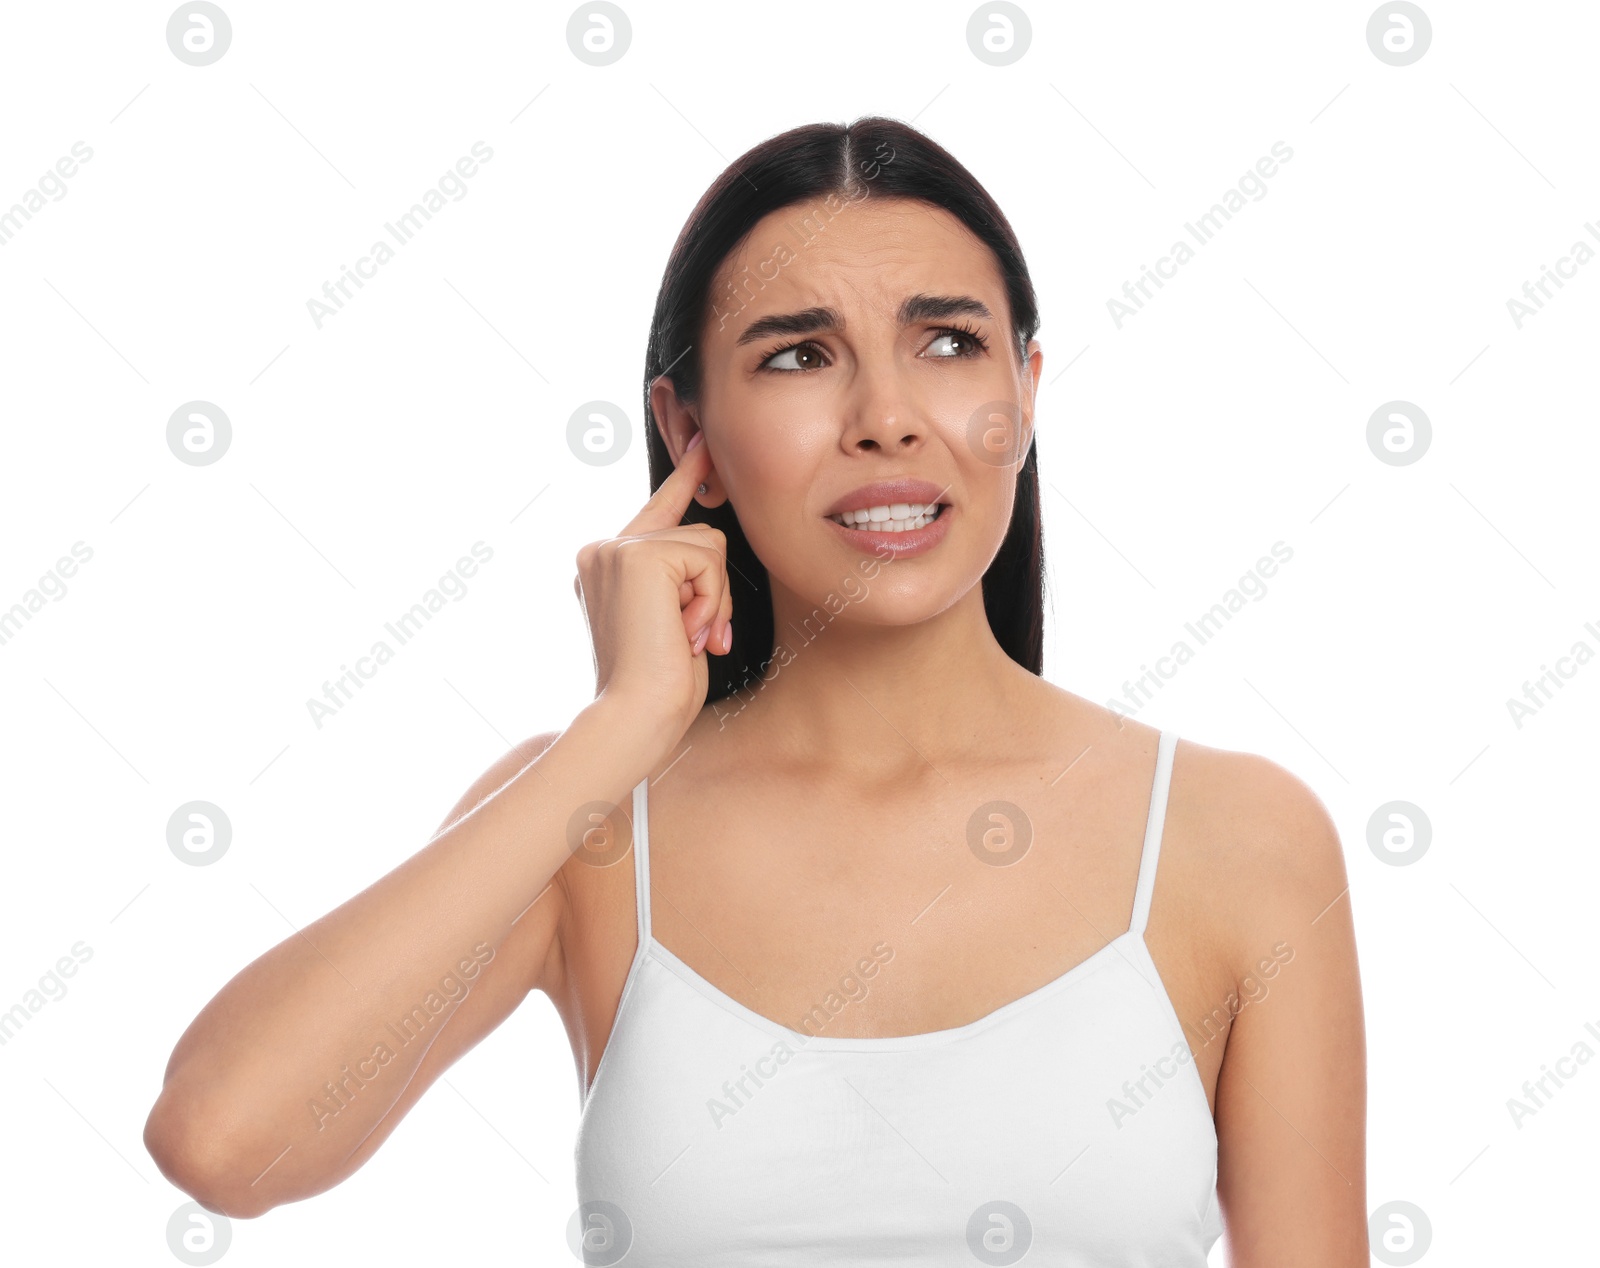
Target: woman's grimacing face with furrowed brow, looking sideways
(870, 343)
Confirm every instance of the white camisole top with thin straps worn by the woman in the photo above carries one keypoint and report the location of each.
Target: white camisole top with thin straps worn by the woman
(1068, 1128)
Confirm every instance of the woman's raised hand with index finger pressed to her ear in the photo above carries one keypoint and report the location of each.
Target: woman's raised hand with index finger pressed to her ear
(657, 596)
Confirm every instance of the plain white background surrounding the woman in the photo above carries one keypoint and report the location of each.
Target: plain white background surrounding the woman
(428, 415)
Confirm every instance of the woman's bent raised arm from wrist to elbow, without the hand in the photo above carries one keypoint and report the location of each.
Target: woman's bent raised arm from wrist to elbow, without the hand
(305, 1062)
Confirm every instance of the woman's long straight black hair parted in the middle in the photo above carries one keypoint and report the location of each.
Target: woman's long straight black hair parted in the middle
(874, 156)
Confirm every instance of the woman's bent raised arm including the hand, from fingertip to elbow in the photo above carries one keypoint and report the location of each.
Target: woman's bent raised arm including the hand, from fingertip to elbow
(300, 1067)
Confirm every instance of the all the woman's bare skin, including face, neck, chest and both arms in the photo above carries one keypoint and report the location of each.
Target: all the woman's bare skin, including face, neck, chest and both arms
(828, 811)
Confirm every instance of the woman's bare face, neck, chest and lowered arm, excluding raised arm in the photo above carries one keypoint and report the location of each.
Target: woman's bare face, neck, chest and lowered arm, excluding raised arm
(852, 772)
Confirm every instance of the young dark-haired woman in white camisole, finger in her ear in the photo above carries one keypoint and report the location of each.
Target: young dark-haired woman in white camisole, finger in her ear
(873, 944)
